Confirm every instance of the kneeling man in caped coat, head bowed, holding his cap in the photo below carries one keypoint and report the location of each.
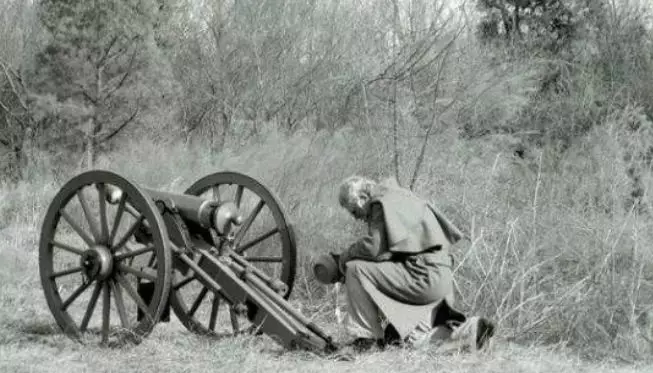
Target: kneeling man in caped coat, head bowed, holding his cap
(399, 277)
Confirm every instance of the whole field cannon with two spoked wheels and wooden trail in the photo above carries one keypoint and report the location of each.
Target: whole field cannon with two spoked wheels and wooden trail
(220, 253)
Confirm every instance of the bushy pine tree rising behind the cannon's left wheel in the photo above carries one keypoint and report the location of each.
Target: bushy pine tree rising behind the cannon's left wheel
(101, 71)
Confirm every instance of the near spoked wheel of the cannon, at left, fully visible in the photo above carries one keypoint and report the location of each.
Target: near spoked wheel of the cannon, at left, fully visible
(89, 259)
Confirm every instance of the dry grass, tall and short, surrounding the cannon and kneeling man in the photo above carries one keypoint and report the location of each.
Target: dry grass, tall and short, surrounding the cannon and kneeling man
(553, 256)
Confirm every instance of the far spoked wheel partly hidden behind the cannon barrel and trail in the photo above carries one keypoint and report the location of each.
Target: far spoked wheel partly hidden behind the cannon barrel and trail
(264, 239)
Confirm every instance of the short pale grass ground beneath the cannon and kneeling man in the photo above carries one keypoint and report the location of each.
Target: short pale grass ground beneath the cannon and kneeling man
(38, 346)
